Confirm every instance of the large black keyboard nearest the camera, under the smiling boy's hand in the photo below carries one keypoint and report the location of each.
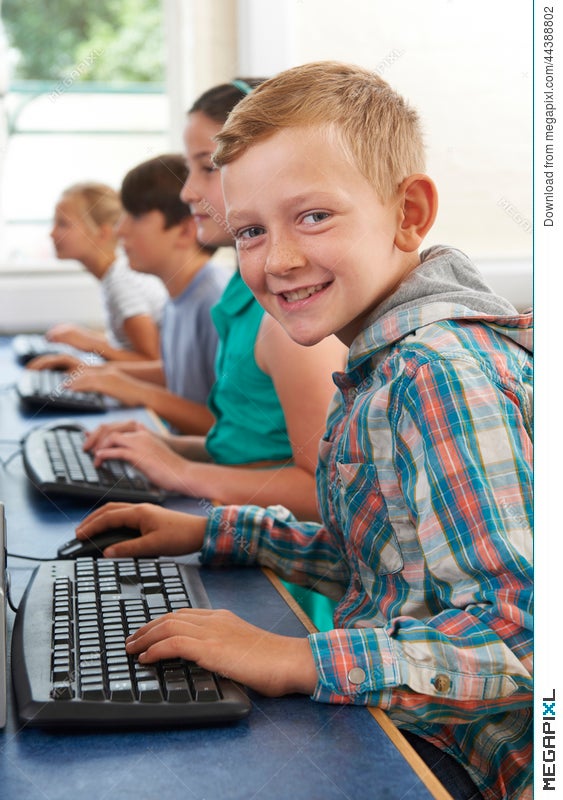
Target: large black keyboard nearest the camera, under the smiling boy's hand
(69, 664)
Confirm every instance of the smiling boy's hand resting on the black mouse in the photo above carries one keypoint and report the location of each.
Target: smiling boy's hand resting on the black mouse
(163, 532)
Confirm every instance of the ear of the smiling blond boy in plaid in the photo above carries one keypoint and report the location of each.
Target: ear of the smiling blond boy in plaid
(418, 203)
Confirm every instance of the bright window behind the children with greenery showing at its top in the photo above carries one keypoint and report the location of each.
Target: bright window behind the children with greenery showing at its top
(85, 101)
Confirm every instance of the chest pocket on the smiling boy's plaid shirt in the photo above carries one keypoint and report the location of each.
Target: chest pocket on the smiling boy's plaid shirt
(369, 534)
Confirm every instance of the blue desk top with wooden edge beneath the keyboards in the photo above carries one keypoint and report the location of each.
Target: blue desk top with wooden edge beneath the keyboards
(287, 748)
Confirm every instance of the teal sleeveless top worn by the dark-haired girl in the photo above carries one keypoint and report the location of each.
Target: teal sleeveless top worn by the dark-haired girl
(249, 420)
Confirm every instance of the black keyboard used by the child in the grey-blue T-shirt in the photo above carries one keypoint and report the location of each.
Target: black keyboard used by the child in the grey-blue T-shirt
(49, 389)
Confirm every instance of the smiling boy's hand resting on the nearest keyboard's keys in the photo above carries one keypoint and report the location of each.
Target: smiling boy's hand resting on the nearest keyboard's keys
(220, 641)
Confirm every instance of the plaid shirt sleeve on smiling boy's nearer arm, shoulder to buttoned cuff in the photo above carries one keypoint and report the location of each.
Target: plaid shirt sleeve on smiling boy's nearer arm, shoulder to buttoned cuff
(463, 458)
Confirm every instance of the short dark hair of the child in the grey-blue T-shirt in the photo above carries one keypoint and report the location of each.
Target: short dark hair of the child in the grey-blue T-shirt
(155, 185)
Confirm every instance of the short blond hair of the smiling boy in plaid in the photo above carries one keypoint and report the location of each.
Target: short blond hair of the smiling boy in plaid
(379, 132)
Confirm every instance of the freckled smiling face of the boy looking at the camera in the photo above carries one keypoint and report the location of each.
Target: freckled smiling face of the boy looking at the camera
(315, 243)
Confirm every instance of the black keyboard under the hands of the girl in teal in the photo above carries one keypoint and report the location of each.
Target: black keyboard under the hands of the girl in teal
(56, 464)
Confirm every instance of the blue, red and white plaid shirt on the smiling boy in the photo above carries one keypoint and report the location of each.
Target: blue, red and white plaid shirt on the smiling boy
(425, 487)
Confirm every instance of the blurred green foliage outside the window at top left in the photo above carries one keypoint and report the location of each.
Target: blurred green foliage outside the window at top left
(107, 41)
